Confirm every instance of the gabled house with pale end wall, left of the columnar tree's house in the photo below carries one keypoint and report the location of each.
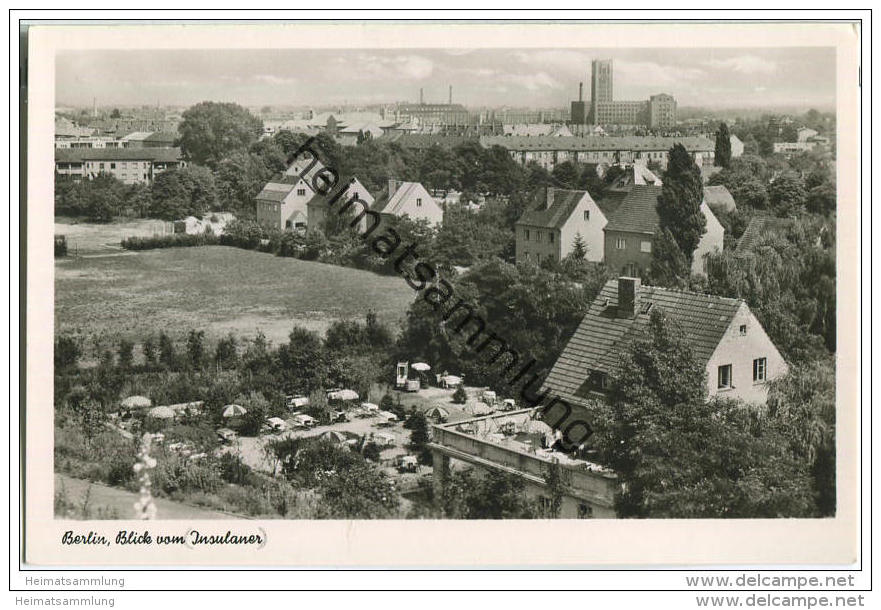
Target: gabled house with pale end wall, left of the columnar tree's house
(550, 226)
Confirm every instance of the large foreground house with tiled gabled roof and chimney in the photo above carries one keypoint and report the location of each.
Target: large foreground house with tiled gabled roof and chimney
(726, 338)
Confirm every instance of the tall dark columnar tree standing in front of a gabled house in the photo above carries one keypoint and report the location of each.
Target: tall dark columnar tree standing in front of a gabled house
(680, 201)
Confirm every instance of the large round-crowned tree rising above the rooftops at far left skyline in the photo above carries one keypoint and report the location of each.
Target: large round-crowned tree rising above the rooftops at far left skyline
(211, 131)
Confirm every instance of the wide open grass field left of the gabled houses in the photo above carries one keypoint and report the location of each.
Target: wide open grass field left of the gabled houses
(217, 289)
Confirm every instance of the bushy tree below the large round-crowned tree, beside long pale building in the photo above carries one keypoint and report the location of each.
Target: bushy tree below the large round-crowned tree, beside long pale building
(185, 191)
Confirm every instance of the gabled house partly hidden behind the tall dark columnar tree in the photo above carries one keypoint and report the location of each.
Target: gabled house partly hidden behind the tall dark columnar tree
(632, 227)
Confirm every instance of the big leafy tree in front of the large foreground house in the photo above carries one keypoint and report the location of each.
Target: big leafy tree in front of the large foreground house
(680, 455)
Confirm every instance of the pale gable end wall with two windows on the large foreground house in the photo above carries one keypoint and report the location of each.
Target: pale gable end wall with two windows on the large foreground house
(739, 350)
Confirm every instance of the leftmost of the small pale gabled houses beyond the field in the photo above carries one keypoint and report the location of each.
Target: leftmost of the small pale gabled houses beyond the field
(282, 204)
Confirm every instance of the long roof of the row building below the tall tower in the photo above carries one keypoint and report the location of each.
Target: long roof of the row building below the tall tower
(612, 143)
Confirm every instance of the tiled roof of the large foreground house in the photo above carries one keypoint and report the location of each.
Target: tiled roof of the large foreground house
(602, 337)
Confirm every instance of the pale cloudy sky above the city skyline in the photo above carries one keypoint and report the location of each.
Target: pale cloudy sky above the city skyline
(712, 78)
